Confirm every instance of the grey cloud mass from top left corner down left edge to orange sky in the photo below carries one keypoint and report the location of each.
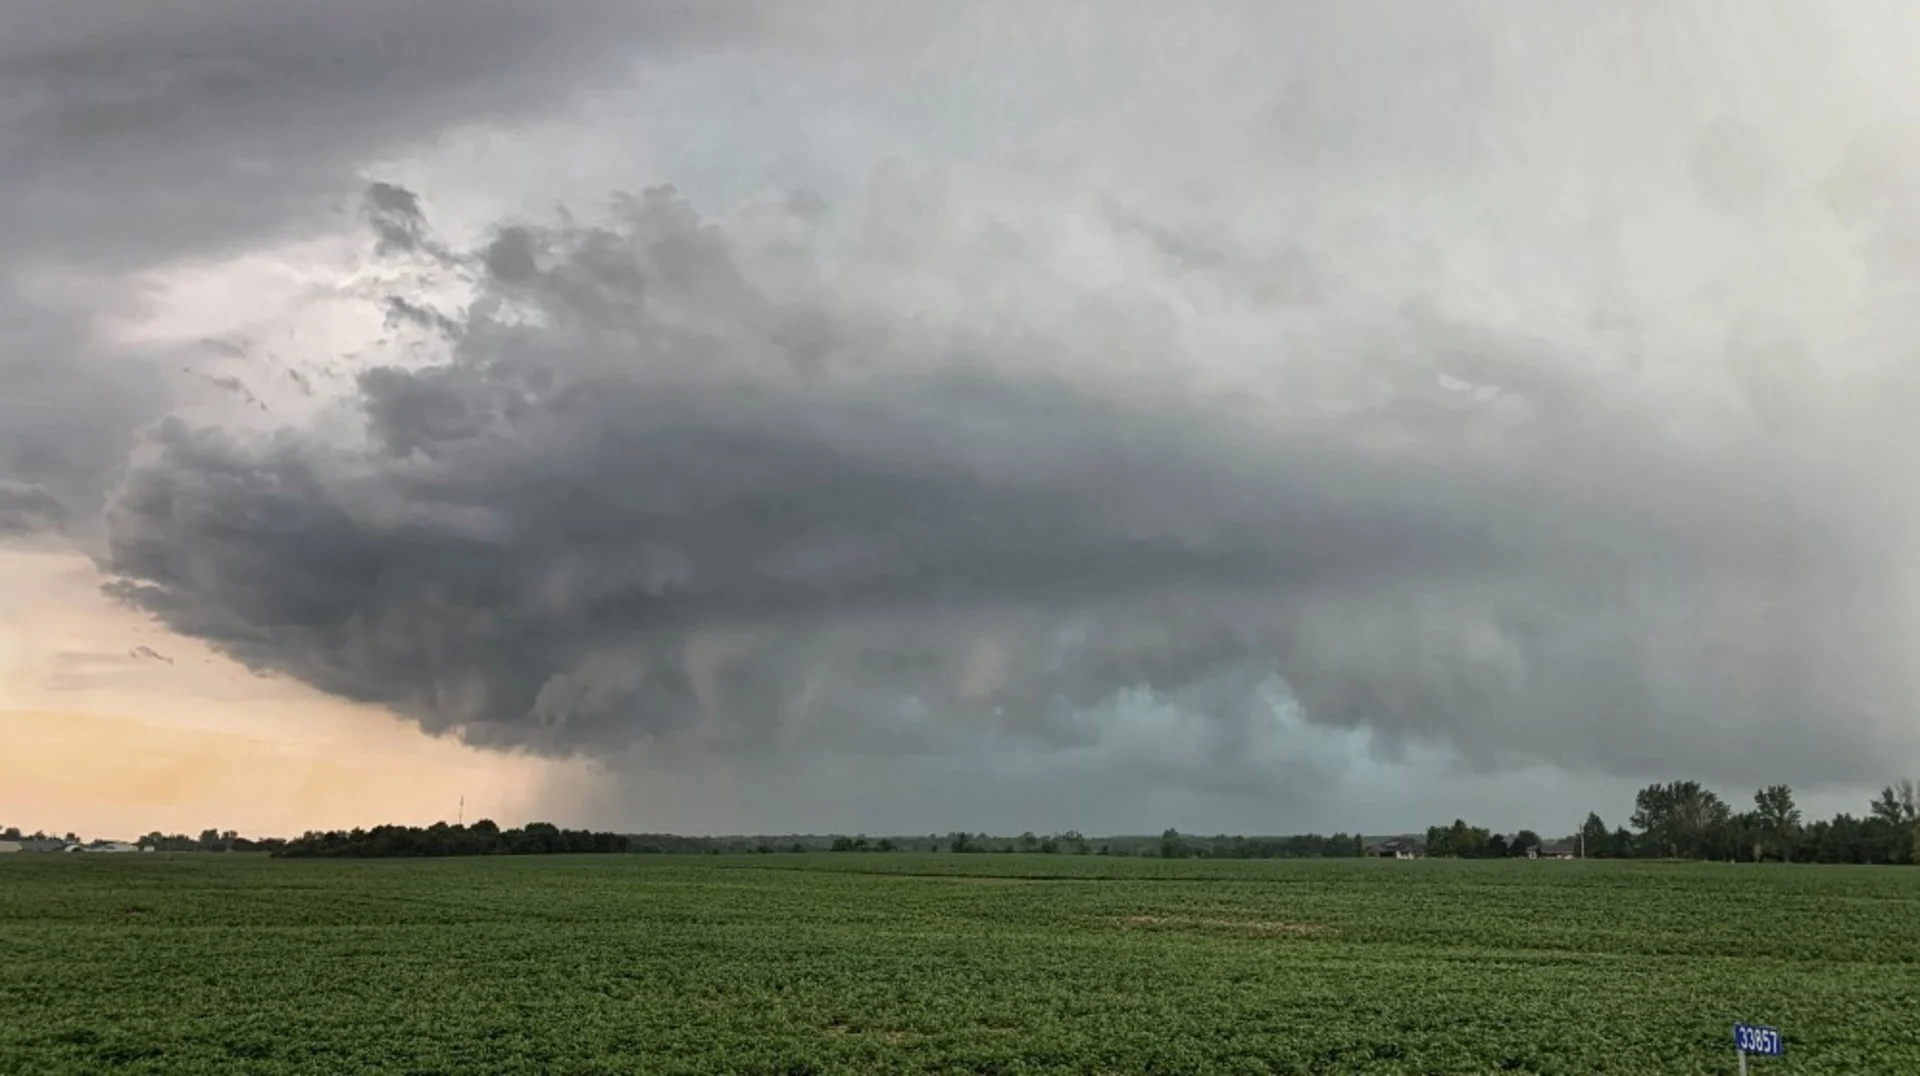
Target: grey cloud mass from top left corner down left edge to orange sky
(135, 134)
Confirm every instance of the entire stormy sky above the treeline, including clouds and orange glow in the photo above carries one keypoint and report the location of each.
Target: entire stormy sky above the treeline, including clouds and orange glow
(909, 418)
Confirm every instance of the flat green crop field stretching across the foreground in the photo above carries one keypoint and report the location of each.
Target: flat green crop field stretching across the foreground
(949, 964)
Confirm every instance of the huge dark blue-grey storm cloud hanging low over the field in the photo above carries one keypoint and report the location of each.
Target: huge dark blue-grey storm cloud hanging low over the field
(640, 506)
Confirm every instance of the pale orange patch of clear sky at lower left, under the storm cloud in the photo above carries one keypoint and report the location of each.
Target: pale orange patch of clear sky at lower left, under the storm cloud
(103, 739)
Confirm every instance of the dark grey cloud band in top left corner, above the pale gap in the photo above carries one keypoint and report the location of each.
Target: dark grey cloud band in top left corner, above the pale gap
(137, 130)
